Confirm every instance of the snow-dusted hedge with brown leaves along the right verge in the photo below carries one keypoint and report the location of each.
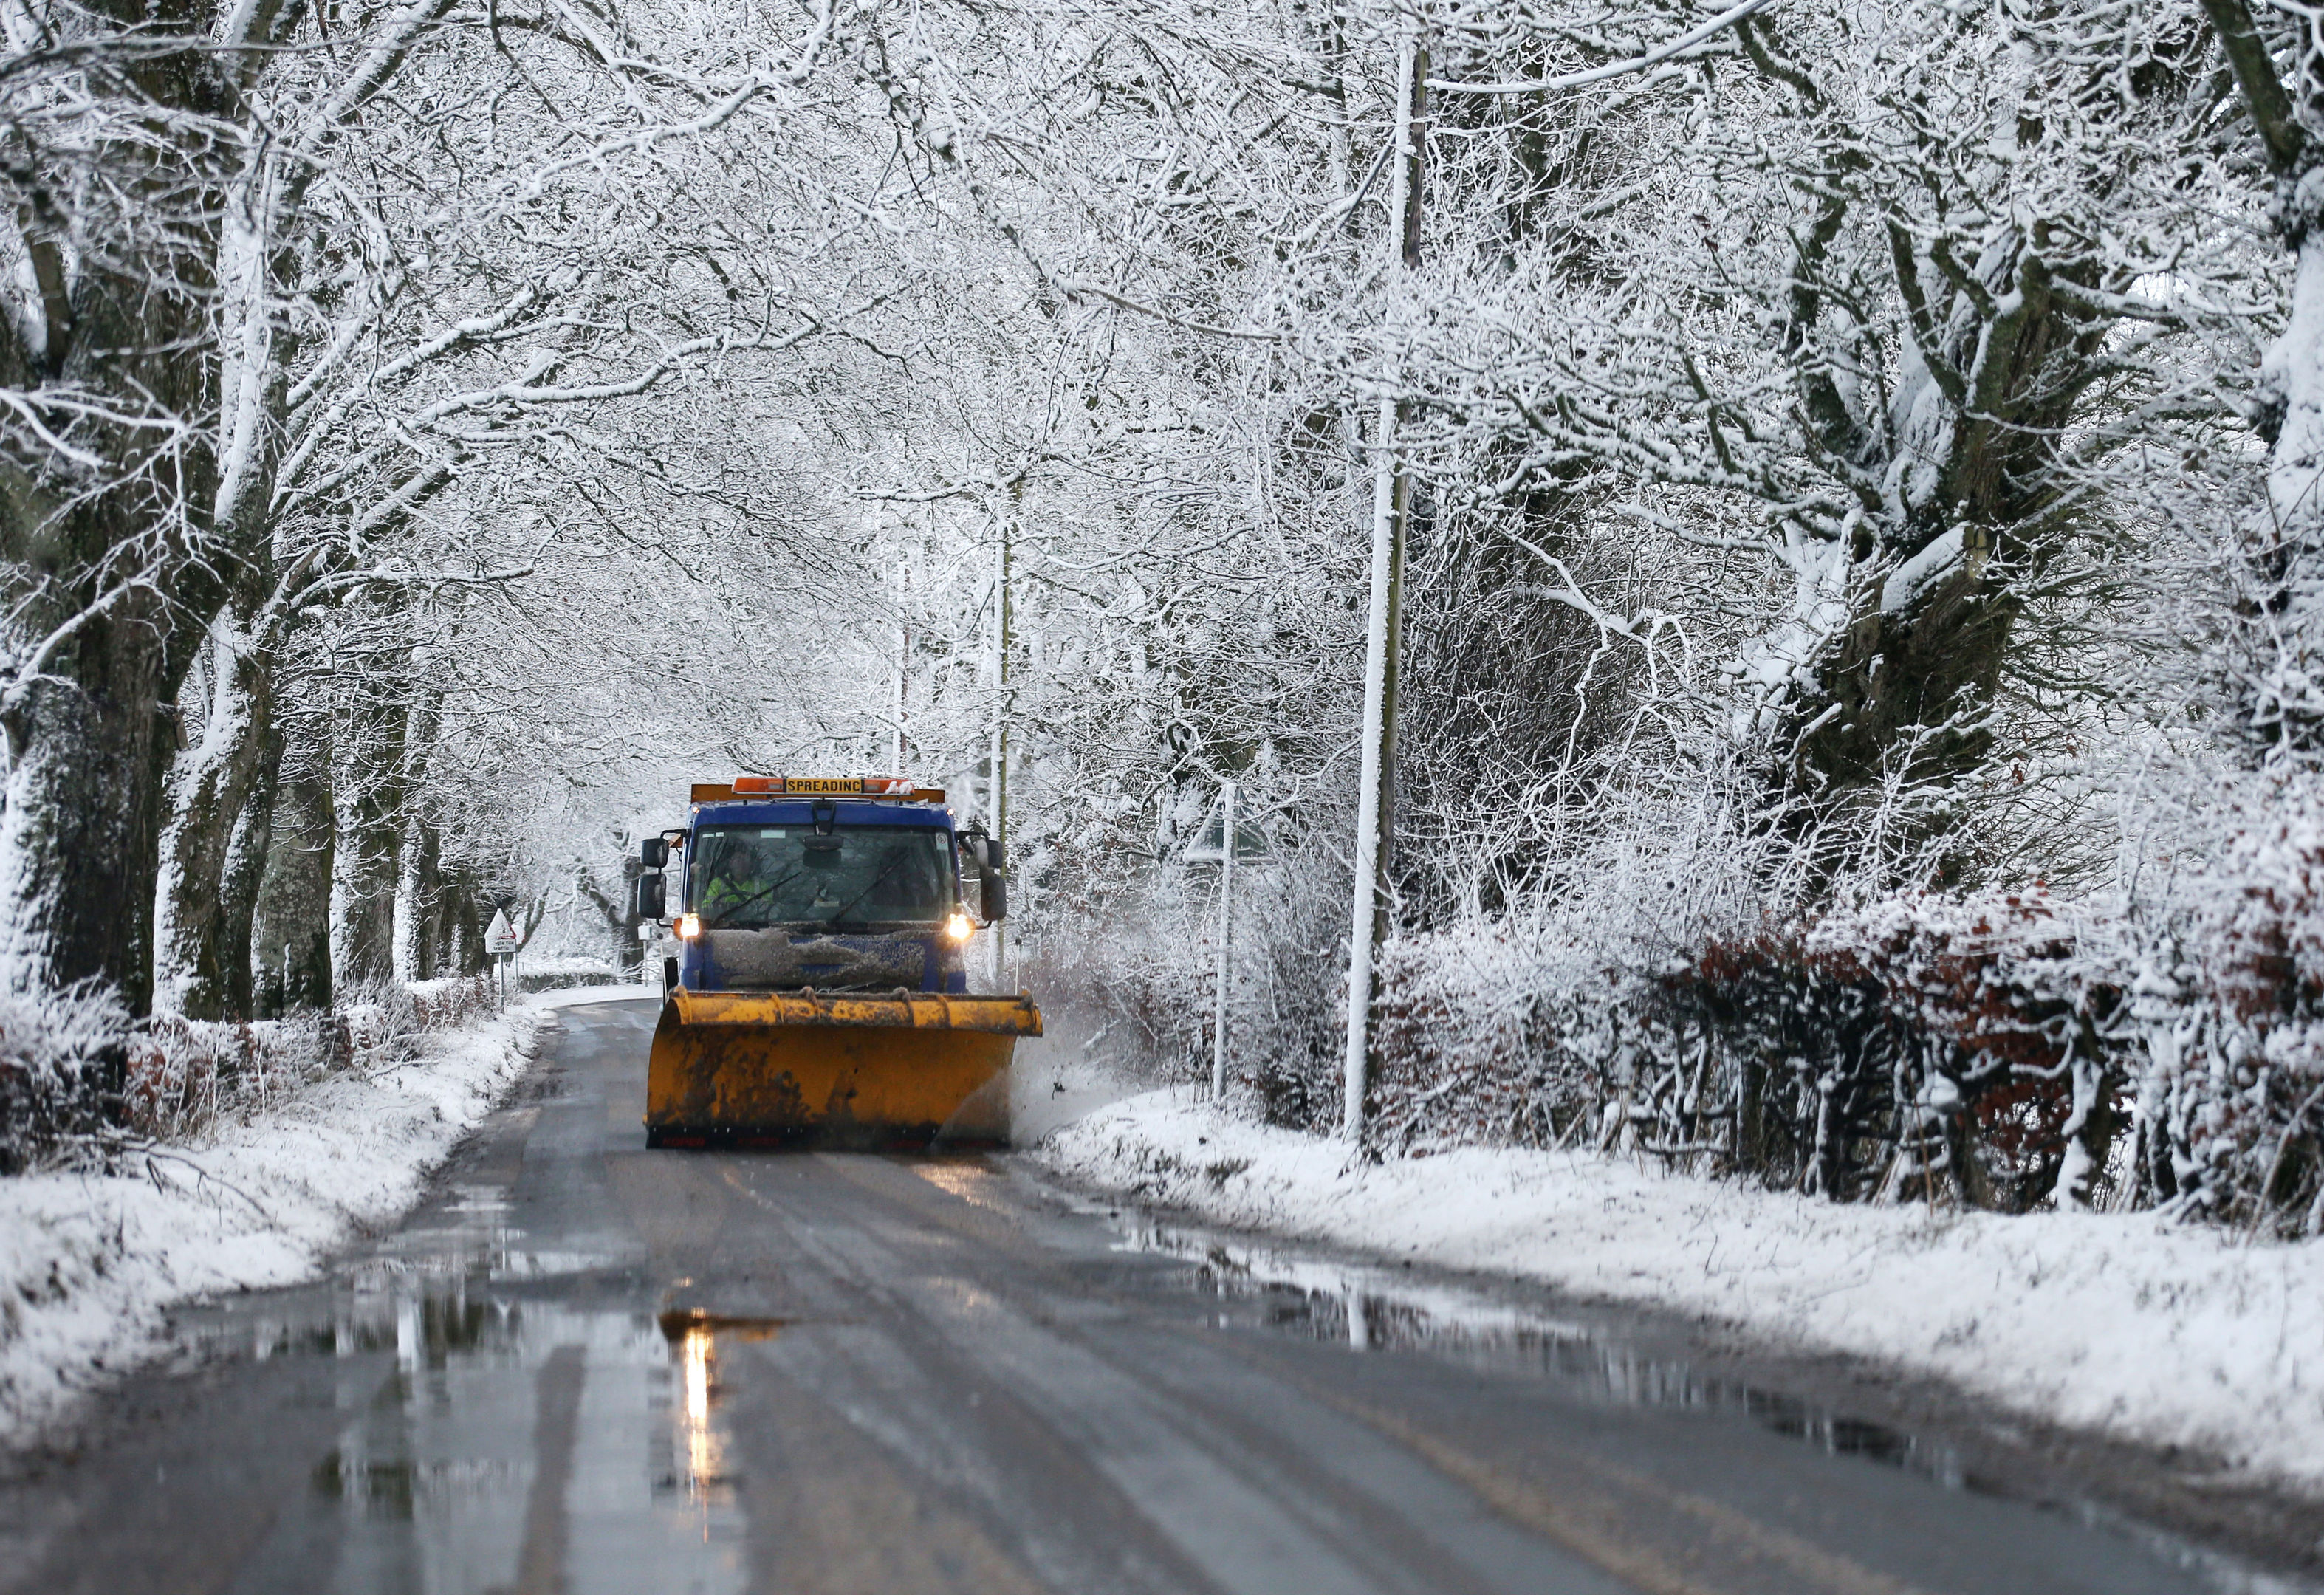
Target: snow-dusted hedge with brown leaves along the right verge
(2009, 1050)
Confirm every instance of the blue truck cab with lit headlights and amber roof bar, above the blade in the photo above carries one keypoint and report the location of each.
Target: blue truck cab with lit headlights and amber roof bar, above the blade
(822, 885)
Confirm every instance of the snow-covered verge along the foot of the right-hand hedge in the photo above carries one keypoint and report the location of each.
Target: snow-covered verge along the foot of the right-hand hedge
(2123, 1324)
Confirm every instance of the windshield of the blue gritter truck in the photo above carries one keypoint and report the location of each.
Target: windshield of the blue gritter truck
(787, 875)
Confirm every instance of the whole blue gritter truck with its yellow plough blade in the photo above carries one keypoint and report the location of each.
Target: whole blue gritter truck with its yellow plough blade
(819, 992)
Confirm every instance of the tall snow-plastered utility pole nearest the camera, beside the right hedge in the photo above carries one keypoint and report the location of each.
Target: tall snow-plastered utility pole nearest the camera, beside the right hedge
(1384, 622)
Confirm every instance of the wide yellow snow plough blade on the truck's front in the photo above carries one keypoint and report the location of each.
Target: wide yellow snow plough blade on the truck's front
(831, 1071)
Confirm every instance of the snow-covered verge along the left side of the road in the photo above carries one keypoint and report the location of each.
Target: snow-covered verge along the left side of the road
(92, 1261)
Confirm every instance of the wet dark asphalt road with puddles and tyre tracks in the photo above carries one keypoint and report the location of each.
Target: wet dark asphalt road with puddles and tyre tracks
(594, 1368)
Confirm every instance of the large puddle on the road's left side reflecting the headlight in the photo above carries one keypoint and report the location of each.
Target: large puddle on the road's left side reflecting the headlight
(515, 1443)
